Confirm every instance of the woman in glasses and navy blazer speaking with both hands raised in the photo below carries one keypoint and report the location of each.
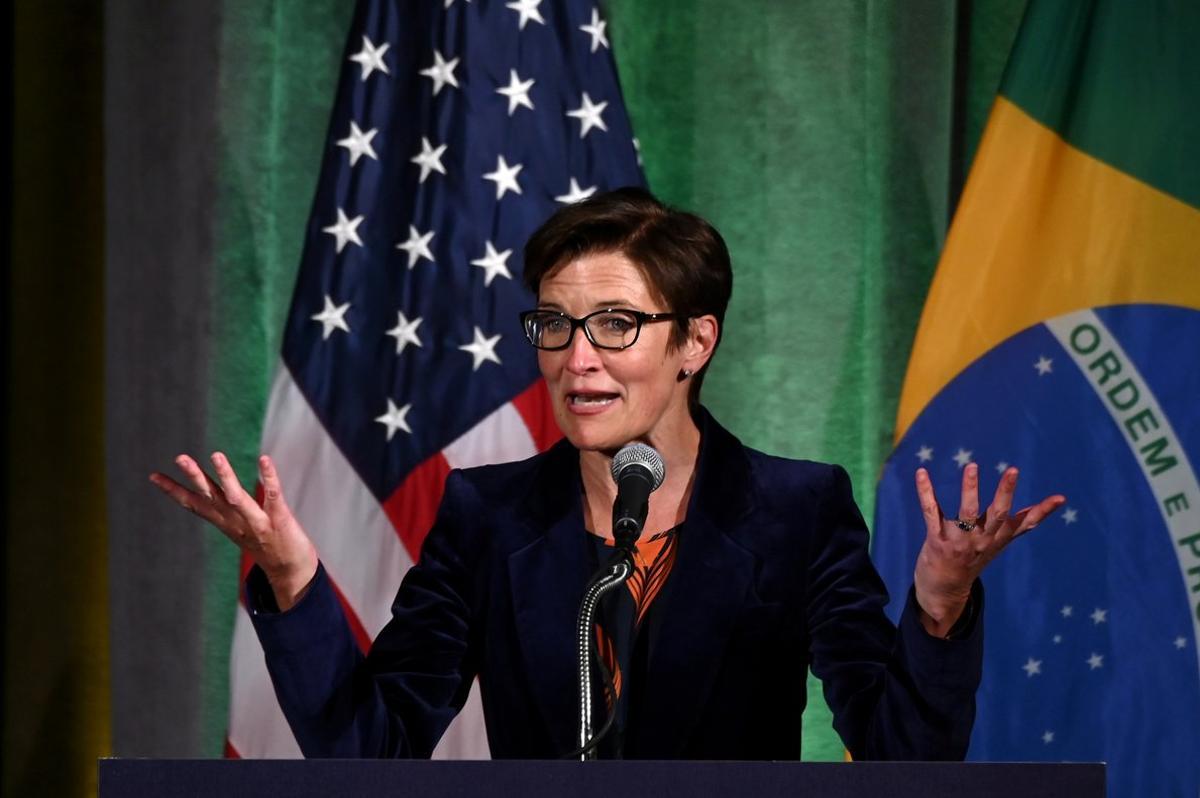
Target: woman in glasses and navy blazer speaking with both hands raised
(751, 569)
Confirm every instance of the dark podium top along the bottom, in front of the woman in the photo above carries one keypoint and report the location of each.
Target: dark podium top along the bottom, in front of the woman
(602, 779)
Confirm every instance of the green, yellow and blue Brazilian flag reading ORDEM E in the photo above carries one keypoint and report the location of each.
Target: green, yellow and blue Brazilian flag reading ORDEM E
(1063, 335)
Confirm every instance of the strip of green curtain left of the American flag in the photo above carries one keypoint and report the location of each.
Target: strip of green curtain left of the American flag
(279, 70)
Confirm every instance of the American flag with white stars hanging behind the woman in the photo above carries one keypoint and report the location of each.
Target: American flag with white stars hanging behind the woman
(458, 129)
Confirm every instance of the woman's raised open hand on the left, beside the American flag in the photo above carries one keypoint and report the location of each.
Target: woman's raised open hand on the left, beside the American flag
(269, 535)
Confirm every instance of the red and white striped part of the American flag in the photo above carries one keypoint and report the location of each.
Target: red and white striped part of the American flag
(367, 547)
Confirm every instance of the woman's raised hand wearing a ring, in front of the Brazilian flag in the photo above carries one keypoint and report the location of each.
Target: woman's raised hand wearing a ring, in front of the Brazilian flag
(952, 557)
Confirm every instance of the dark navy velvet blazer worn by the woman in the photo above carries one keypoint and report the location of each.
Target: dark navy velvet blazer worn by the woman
(772, 577)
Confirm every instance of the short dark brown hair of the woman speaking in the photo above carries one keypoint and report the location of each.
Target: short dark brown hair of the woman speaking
(683, 257)
